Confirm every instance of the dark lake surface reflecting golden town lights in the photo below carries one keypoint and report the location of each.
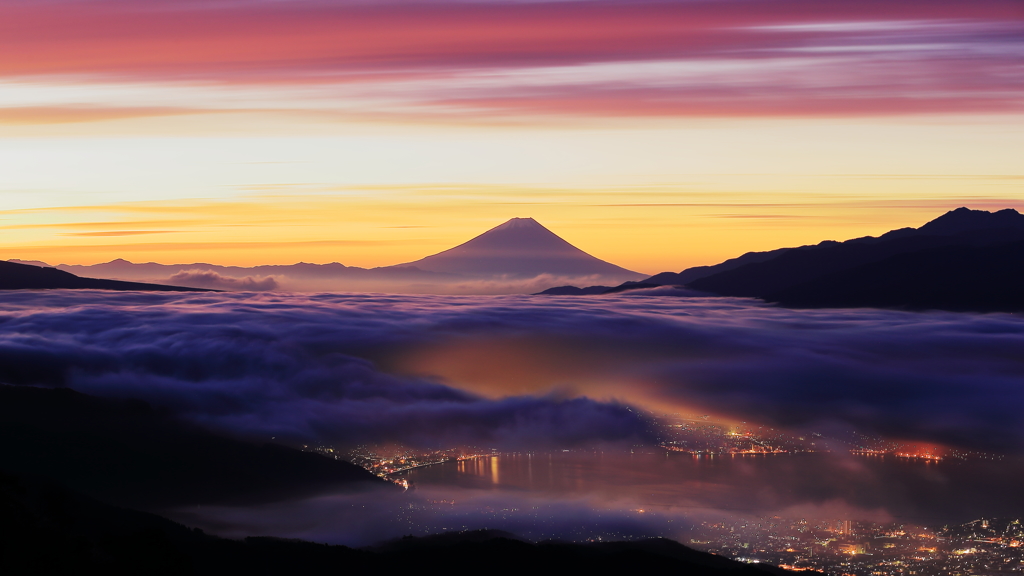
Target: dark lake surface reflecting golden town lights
(761, 484)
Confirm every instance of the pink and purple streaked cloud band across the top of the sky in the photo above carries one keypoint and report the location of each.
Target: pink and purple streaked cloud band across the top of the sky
(484, 61)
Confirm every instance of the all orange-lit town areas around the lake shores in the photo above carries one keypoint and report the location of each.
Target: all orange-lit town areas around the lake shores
(840, 547)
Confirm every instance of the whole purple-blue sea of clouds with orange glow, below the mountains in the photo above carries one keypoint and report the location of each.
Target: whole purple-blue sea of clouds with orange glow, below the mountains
(516, 371)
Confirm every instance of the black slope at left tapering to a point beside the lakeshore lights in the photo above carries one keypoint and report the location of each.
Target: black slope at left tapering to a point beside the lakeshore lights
(132, 455)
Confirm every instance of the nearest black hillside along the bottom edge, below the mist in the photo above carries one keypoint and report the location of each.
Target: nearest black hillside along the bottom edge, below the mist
(46, 530)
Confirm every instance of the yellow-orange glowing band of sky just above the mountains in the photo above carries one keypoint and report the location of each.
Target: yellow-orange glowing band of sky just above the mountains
(649, 230)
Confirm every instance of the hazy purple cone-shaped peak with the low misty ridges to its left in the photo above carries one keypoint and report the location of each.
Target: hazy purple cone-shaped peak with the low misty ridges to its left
(518, 257)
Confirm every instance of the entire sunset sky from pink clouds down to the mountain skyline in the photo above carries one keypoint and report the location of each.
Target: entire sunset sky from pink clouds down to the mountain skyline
(657, 136)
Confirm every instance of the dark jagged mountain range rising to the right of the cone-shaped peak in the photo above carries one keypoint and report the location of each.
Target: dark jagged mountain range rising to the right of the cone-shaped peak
(963, 261)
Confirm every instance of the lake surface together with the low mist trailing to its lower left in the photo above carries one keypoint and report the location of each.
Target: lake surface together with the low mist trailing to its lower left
(590, 496)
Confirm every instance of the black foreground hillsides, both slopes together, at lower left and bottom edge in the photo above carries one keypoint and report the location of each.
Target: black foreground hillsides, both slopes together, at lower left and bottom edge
(66, 455)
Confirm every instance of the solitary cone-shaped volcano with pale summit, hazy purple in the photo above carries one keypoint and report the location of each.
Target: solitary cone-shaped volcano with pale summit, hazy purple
(521, 249)
